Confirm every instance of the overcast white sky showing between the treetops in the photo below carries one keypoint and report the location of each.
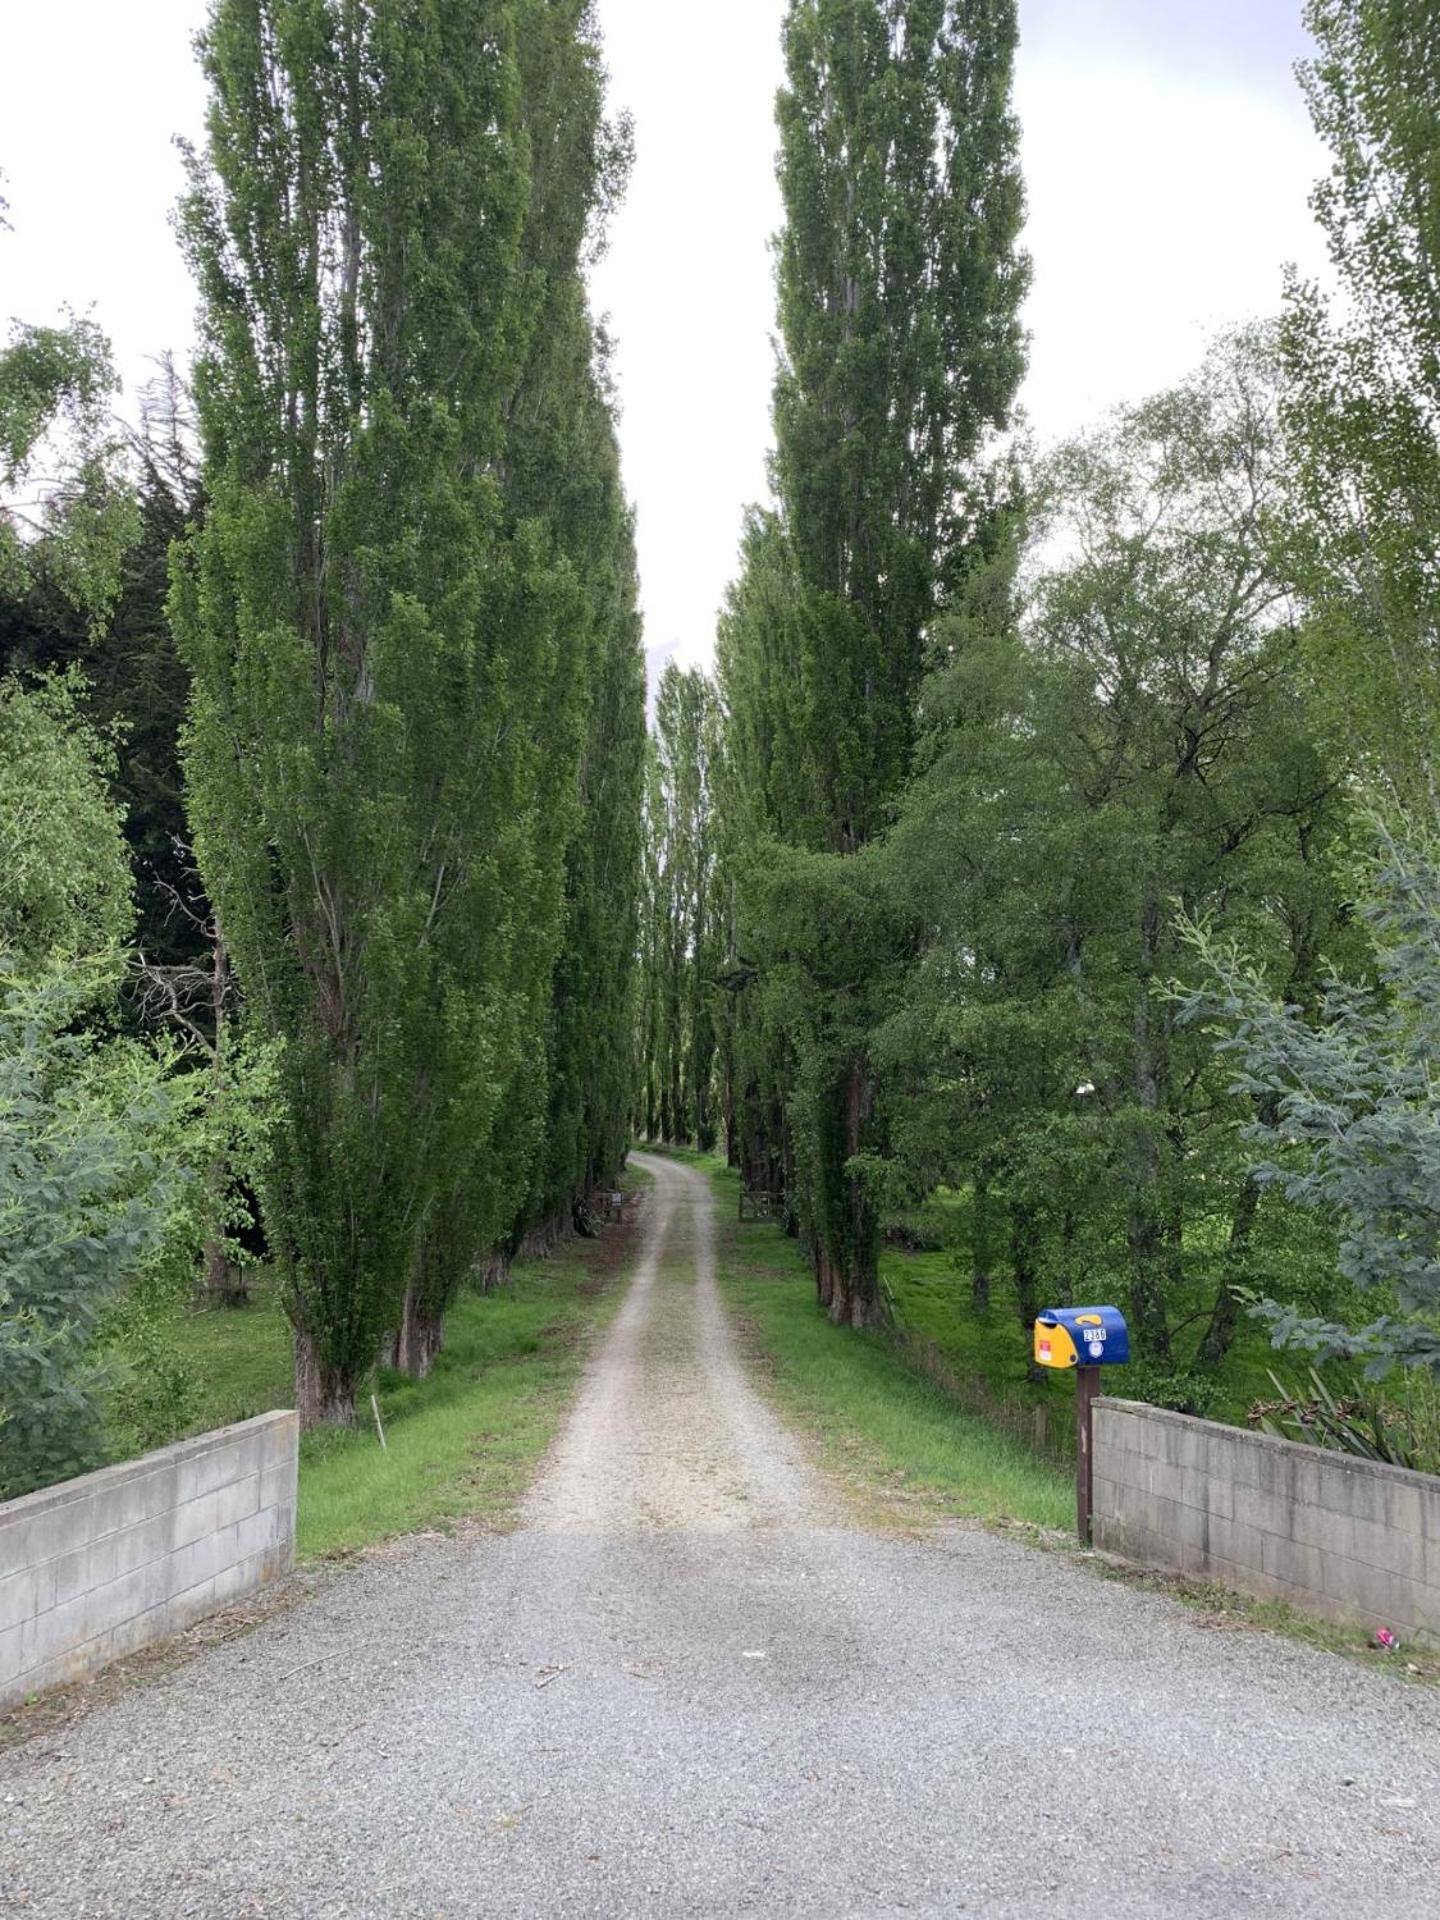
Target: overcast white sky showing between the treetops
(1168, 160)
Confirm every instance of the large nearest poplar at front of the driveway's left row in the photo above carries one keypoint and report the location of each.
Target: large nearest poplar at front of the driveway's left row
(354, 612)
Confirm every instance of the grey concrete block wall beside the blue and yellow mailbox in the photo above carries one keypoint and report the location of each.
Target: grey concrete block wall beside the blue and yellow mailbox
(1343, 1537)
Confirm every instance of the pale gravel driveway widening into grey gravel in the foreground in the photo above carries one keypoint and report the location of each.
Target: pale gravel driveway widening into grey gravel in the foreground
(688, 1687)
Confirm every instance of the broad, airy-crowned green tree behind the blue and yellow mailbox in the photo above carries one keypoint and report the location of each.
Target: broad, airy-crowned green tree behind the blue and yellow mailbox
(1140, 744)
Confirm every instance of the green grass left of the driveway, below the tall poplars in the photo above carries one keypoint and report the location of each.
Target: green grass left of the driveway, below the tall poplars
(462, 1445)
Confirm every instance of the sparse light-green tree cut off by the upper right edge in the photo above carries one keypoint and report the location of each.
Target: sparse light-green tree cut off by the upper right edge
(1364, 393)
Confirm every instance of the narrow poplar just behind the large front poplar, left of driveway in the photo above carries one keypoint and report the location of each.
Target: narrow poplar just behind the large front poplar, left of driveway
(564, 471)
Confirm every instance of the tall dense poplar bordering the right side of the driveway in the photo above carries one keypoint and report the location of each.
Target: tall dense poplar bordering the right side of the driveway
(900, 291)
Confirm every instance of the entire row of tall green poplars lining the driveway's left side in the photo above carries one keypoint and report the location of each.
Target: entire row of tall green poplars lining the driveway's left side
(410, 615)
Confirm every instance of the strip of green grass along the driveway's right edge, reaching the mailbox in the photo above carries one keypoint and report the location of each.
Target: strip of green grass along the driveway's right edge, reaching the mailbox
(878, 1422)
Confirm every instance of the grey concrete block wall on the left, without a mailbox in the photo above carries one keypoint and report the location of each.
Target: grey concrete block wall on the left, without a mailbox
(103, 1566)
